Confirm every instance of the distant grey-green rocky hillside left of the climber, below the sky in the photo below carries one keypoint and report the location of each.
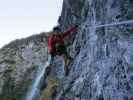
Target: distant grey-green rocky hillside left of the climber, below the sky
(18, 63)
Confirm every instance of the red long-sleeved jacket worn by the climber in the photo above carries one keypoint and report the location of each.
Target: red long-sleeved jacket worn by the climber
(58, 38)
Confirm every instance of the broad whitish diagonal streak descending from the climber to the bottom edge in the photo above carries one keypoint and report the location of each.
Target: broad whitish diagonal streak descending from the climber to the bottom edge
(34, 90)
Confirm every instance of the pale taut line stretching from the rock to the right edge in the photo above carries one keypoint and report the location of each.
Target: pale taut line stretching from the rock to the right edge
(115, 24)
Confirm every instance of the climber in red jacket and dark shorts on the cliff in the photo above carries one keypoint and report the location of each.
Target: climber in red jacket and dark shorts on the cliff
(56, 45)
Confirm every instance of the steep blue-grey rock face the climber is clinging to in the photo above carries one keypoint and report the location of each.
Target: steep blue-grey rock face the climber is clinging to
(102, 68)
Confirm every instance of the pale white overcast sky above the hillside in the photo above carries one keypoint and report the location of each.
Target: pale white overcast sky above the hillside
(22, 18)
